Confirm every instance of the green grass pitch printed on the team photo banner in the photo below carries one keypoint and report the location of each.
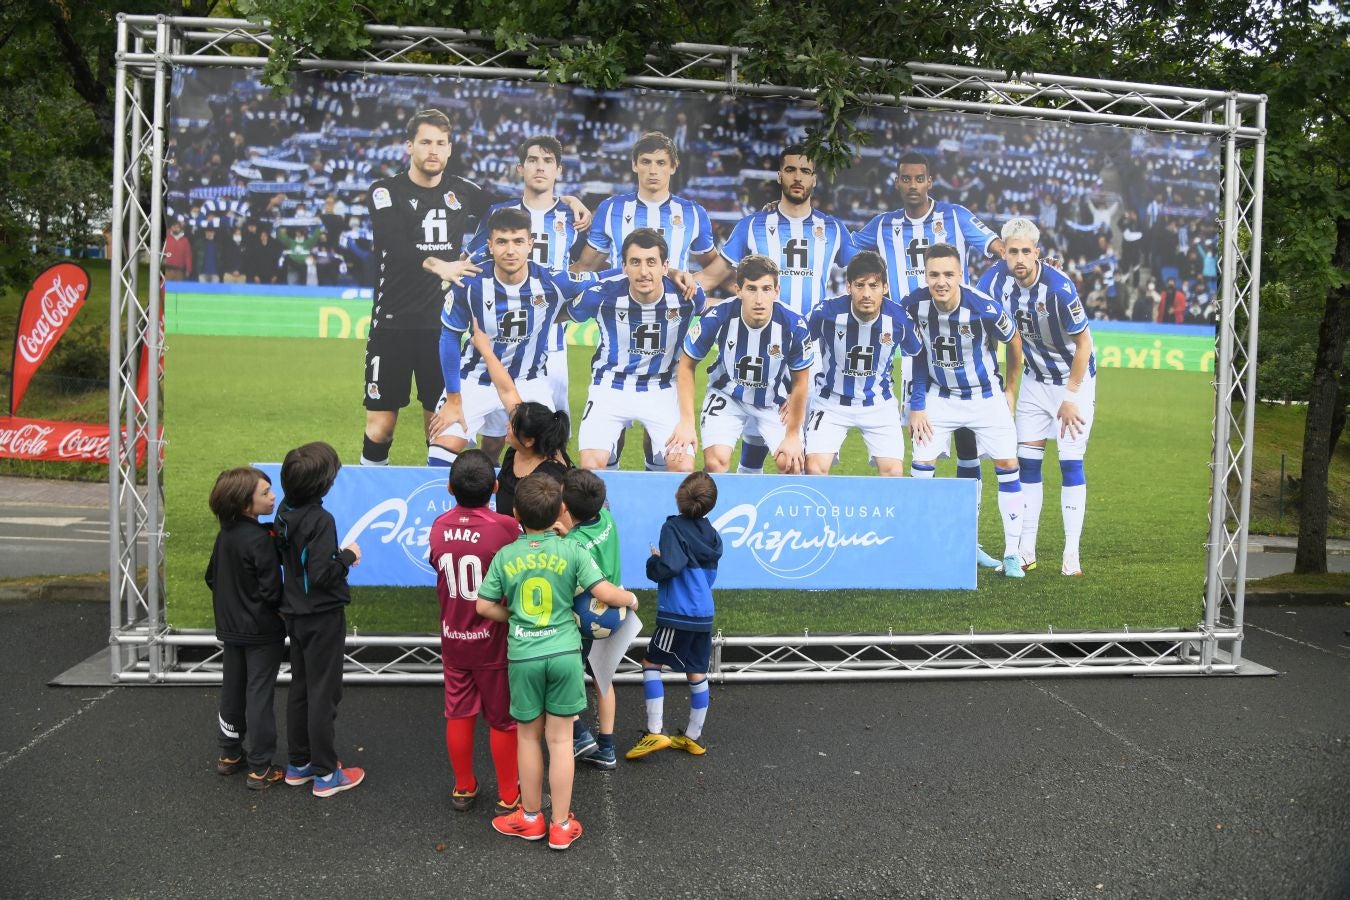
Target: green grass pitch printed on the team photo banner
(230, 401)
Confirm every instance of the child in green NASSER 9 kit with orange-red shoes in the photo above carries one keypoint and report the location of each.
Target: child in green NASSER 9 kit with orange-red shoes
(531, 586)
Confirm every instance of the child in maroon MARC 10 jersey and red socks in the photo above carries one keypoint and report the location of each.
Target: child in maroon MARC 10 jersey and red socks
(473, 650)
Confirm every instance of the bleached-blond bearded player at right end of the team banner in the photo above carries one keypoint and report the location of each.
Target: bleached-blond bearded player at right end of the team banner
(1059, 393)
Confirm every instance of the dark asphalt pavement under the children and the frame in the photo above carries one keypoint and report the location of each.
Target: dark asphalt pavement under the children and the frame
(1087, 787)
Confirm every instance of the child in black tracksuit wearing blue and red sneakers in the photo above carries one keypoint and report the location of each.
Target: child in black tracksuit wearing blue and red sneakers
(315, 597)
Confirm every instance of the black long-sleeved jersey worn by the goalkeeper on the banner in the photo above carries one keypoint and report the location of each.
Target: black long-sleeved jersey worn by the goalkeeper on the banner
(411, 225)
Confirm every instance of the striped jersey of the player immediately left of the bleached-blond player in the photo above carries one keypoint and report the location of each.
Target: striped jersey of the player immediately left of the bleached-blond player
(961, 349)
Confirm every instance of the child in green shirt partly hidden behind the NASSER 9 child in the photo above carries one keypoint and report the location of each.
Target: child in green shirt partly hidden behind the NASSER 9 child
(593, 527)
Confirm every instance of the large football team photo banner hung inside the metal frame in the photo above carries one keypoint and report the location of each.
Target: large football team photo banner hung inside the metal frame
(295, 223)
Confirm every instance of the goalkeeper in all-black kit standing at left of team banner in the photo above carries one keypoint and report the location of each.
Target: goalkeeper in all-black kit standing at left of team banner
(421, 219)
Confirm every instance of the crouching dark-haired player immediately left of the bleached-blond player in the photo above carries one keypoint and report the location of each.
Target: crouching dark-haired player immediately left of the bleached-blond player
(958, 384)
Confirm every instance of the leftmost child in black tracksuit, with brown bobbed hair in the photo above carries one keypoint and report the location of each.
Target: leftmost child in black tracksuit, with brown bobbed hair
(245, 581)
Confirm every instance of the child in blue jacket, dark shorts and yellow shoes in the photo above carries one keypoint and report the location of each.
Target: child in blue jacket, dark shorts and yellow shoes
(684, 567)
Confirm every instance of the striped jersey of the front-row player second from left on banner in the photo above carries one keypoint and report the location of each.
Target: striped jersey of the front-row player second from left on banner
(639, 343)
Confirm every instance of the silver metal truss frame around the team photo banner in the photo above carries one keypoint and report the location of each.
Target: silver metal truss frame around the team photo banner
(144, 650)
